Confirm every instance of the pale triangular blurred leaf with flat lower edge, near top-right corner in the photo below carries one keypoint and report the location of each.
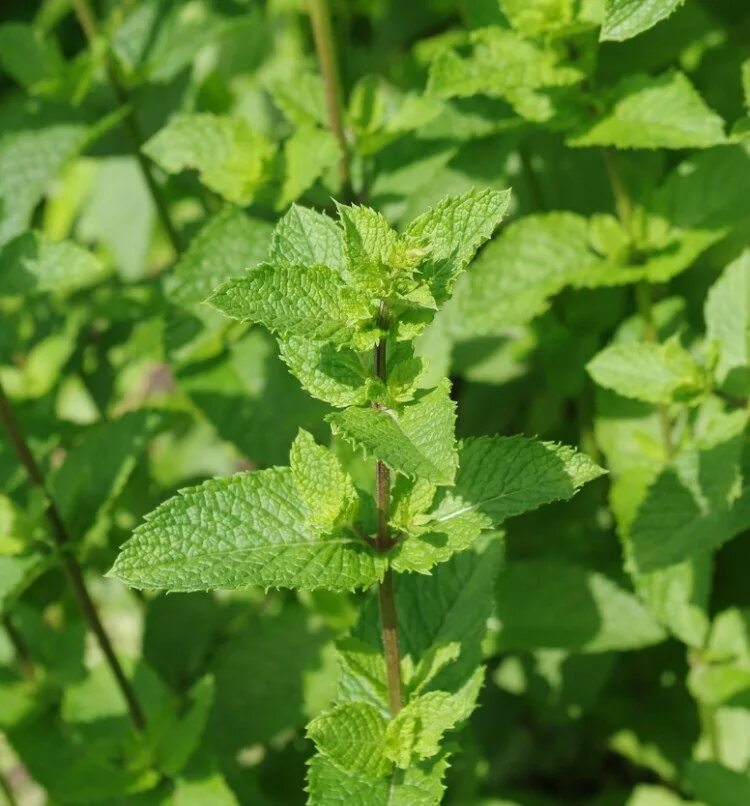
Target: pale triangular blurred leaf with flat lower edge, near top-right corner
(647, 112)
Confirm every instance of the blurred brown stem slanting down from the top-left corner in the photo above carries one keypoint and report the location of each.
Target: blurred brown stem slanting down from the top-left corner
(88, 25)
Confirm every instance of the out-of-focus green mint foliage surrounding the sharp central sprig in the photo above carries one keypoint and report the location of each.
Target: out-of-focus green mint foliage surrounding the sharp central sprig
(611, 312)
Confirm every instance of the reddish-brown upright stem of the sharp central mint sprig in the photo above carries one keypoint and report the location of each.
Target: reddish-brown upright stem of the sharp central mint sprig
(383, 542)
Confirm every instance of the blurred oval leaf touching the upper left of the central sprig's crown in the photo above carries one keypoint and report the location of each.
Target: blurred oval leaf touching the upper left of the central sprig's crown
(225, 247)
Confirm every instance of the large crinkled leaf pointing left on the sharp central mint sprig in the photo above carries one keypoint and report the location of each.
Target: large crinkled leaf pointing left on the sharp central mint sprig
(237, 532)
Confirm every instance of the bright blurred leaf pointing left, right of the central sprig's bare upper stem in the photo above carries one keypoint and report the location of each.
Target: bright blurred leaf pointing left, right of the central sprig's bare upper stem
(654, 373)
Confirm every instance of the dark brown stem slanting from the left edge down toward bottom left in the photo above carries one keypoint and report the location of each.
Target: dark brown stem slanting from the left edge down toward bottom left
(70, 565)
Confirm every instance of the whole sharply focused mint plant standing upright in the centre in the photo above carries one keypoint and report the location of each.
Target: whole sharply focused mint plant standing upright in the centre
(346, 300)
